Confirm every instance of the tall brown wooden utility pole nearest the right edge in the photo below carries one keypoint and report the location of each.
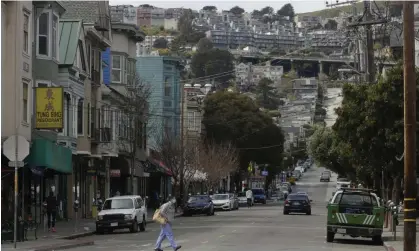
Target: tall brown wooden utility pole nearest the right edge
(409, 242)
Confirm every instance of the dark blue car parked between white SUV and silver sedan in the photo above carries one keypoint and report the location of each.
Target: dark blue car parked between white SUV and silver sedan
(199, 204)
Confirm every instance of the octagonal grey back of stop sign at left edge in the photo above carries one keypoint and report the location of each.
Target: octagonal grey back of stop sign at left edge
(9, 148)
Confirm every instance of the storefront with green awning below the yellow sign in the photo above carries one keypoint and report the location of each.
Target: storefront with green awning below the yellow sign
(48, 167)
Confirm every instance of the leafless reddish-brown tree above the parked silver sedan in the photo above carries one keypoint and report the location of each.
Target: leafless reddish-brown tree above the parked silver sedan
(217, 161)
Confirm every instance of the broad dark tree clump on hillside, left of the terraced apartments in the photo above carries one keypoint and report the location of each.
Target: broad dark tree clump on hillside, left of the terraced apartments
(213, 62)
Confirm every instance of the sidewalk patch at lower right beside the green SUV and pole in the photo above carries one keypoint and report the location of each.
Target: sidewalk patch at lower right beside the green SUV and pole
(397, 245)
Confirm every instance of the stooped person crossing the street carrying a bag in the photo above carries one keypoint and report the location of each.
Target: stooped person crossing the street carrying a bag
(167, 211)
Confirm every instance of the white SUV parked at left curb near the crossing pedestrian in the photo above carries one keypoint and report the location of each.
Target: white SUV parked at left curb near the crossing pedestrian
(122, 212)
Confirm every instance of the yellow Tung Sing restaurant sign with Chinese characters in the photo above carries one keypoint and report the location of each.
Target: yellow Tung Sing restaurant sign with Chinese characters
(49, 108)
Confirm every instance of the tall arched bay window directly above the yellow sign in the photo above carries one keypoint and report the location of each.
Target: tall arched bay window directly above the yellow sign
(47, 35)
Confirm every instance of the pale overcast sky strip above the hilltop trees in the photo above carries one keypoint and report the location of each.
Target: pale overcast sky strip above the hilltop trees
(299, 6)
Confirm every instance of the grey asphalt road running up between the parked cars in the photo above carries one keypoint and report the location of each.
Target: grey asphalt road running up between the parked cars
(261, 228)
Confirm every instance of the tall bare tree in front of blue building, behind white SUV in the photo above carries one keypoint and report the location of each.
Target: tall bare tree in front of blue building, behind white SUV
(133, 107)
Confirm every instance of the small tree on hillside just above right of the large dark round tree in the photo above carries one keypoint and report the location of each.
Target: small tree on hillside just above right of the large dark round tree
(268, 97)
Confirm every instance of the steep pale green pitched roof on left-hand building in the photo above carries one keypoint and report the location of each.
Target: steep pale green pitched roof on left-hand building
(69, 40)
